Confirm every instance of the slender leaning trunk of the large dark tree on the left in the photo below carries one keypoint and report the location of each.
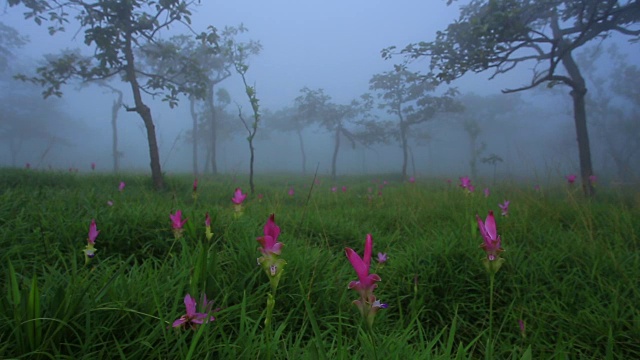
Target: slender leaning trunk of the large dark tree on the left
(145, 113)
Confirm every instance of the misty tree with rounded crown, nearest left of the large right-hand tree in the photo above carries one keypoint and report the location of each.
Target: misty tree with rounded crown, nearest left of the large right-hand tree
(406, 95)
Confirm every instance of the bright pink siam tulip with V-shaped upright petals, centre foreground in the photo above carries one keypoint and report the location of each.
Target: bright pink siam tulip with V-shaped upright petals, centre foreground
(366, 283)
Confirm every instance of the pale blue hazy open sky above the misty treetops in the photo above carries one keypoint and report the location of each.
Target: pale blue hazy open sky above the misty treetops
(329, 44)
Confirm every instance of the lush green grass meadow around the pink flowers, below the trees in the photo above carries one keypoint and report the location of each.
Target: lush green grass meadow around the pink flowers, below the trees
(569, 287)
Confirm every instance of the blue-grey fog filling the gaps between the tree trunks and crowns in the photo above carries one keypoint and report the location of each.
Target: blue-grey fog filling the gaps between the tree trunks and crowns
(330, 45)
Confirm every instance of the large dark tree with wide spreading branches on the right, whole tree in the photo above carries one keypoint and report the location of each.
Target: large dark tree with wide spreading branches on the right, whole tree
(499, 35)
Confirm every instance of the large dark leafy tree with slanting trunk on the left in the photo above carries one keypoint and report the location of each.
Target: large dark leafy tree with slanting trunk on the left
(113, 29)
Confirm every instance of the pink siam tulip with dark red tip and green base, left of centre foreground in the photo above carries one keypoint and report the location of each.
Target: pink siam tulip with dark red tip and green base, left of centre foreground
(270, 260)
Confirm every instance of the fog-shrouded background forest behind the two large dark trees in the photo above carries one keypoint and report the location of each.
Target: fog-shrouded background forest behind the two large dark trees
(191, 80)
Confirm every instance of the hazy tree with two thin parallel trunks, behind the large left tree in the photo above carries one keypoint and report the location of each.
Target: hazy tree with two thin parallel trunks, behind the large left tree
(212, 59)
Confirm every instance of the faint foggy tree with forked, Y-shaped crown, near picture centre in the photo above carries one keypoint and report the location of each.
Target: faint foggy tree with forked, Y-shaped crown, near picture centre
(334, 117)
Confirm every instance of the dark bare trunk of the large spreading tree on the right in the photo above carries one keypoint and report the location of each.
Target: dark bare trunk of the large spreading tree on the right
(578, 93)
